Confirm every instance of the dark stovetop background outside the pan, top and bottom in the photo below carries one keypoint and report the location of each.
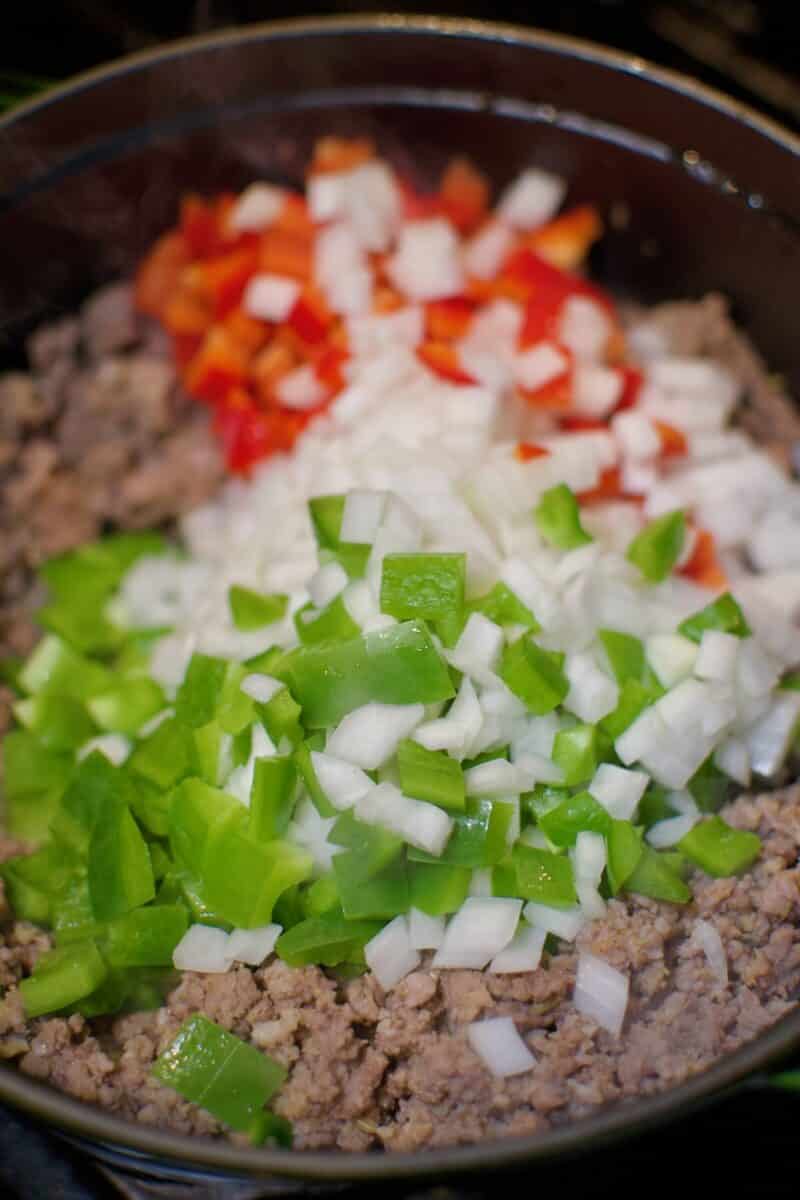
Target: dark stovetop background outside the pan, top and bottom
(748, 1144)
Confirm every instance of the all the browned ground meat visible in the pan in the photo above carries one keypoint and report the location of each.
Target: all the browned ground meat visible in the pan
(87, 440)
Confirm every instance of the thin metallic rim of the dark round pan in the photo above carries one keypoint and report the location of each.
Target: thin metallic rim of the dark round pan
(93, 1125)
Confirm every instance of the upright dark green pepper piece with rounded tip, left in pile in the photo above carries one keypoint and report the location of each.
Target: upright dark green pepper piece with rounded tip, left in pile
(121, 872)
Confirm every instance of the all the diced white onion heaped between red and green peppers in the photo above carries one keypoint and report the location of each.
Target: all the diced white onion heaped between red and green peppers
(432, 465)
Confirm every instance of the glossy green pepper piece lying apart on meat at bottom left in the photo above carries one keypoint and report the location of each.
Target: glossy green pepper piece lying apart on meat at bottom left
(220, 1072)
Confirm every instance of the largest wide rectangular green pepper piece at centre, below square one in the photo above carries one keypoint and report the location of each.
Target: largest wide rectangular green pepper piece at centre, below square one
(395, 667)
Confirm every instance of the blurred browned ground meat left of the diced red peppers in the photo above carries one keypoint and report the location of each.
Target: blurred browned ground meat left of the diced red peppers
(99, 433)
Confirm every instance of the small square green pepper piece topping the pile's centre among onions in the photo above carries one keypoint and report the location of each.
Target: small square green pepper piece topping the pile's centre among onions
(429, 586)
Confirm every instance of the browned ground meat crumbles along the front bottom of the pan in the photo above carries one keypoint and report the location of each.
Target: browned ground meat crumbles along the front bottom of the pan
(395, 1071)
